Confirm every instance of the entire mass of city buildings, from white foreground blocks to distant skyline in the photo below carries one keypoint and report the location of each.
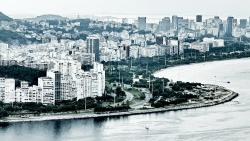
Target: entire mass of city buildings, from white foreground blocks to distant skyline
(66, 45)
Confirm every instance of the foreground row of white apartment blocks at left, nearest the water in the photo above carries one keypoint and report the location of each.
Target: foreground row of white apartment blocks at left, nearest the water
(64, 82)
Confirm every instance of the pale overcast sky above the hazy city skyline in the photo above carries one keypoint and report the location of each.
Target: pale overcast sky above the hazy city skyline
(237, 8)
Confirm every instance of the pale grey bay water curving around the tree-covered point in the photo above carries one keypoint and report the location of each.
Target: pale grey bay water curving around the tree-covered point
(227, 122)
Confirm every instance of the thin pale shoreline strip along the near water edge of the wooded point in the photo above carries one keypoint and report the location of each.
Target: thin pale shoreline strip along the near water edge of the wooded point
(180, 107)
